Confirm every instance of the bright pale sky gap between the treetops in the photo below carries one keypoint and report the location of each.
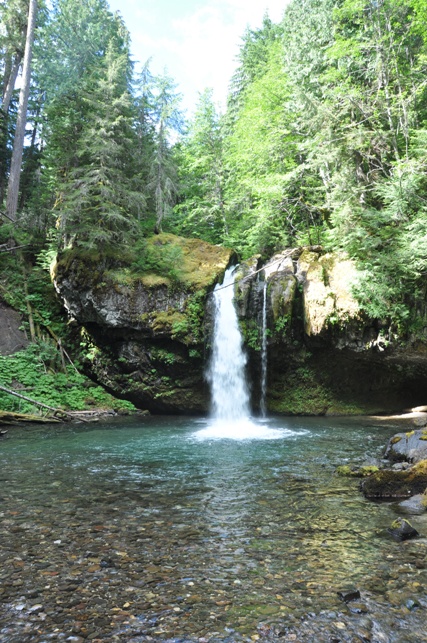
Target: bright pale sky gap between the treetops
(196, 41)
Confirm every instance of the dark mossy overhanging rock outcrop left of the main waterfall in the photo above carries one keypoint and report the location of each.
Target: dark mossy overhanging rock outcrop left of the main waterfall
(145, 332)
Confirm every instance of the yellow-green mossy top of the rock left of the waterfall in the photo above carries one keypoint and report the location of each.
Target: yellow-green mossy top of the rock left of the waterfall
(163, 259)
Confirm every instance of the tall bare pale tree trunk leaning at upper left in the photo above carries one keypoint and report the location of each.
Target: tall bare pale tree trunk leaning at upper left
(18, 143)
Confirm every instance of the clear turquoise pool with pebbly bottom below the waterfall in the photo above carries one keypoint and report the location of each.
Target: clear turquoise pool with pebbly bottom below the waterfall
(163, 530)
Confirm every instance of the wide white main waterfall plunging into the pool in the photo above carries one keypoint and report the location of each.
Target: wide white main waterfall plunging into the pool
(230, 395)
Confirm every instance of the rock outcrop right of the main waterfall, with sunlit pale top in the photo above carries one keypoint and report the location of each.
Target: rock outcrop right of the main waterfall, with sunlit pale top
(325, 356)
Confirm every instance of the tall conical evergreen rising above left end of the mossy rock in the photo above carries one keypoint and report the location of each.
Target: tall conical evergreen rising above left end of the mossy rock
(99, 204)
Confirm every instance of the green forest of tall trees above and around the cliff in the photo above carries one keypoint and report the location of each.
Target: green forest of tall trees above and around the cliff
(323, 142)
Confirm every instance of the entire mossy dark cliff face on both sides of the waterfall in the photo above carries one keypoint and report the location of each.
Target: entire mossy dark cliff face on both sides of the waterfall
(148, 336)
